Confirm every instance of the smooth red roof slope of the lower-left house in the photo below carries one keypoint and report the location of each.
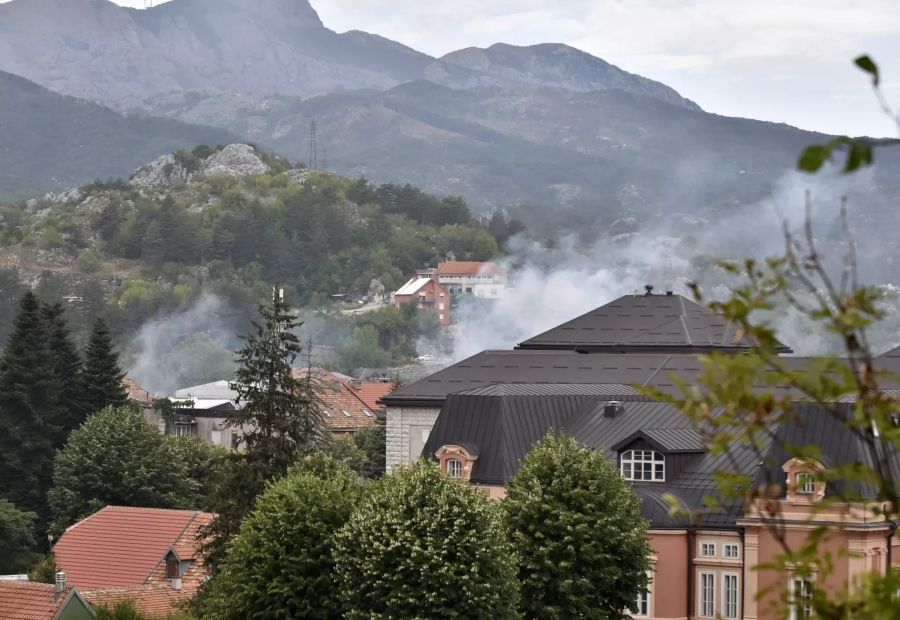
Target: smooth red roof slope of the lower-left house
(120, 546)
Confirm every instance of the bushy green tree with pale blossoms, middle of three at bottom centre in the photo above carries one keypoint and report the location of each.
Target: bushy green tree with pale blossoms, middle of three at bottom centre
(424, 542)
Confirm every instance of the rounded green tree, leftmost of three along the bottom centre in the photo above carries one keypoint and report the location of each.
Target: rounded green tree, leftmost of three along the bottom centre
(280, 563)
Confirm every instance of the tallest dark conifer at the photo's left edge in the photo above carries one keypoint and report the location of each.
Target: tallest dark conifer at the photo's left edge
(28, 406)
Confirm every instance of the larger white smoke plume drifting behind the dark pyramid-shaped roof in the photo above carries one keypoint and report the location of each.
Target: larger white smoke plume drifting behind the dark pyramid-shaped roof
(550, 286)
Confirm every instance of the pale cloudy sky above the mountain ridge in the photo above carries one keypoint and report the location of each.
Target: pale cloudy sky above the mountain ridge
(779, 60)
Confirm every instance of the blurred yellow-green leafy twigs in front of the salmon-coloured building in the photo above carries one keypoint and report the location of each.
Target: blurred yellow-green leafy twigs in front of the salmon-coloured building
(745, 402)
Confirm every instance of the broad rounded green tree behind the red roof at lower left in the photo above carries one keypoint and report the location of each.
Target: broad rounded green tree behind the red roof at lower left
(117, 458)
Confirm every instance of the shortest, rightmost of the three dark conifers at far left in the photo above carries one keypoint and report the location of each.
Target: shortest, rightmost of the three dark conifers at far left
(102, 376)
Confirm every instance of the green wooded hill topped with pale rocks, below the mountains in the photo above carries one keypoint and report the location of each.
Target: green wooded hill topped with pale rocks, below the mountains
(131, 252)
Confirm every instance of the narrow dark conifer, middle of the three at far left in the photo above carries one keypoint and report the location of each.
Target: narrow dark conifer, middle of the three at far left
(66, 364)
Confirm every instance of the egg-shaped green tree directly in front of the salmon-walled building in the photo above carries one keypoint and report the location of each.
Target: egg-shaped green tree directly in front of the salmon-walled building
(577, 527)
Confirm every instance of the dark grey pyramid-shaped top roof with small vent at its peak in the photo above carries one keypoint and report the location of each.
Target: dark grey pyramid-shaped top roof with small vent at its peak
(646, 323)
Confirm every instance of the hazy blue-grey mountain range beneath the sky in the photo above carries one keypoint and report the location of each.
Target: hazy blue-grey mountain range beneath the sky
(567, 136)
